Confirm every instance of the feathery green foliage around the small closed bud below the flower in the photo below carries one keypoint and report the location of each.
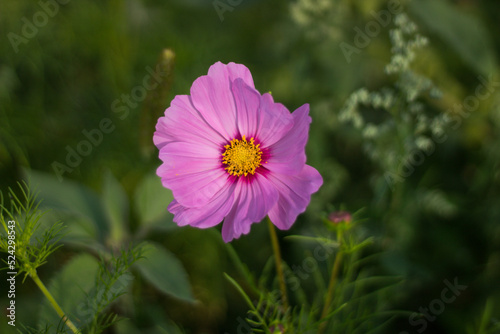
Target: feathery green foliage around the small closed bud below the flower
(357, 305)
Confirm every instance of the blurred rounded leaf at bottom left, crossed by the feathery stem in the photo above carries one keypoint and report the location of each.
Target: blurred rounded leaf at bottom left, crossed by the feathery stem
(69, 288)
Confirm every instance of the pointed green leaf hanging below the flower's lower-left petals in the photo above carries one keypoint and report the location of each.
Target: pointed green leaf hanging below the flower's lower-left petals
(164, 271)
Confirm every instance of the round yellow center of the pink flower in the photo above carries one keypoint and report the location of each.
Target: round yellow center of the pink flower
(242, 157)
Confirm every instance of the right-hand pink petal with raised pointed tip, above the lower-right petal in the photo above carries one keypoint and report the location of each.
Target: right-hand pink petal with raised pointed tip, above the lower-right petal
(287, 155)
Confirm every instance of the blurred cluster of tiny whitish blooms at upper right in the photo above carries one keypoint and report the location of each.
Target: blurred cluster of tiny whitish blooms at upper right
(394, 122)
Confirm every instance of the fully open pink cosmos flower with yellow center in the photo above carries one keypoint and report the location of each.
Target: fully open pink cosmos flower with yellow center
(230, 153)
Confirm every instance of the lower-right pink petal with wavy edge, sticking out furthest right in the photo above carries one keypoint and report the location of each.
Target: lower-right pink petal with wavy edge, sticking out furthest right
(294, 195)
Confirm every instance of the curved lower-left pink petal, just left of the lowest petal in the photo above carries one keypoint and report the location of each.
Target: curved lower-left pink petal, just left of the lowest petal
(208, 215)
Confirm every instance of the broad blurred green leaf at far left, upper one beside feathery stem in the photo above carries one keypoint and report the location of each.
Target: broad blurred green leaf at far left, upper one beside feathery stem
(74, 203)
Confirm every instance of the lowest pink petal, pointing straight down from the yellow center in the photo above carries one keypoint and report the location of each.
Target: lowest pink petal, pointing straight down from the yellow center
(253, 200)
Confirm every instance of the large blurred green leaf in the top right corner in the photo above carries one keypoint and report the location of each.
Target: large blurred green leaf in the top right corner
(465, 34)
